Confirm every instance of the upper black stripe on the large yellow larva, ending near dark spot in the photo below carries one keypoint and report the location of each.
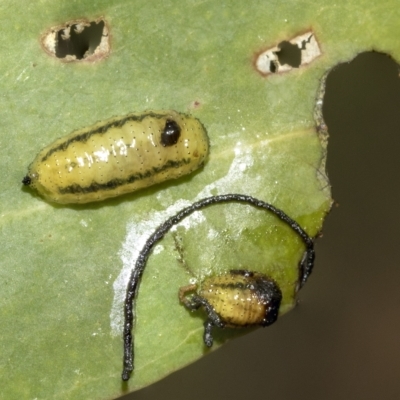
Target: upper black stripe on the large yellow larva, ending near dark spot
(101, 130)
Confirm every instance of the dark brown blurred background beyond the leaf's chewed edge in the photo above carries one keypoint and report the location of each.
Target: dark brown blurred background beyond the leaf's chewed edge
(343, 340)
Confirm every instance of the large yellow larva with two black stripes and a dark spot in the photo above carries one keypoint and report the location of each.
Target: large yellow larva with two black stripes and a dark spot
(118, 156)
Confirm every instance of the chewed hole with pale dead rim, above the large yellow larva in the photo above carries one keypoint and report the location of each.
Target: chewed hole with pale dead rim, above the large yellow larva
(79, 40)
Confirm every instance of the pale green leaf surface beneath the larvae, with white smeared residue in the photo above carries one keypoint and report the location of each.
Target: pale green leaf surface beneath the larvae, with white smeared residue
(64, 269)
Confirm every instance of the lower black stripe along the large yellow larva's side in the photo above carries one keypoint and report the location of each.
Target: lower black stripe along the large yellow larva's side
(114, 183)
